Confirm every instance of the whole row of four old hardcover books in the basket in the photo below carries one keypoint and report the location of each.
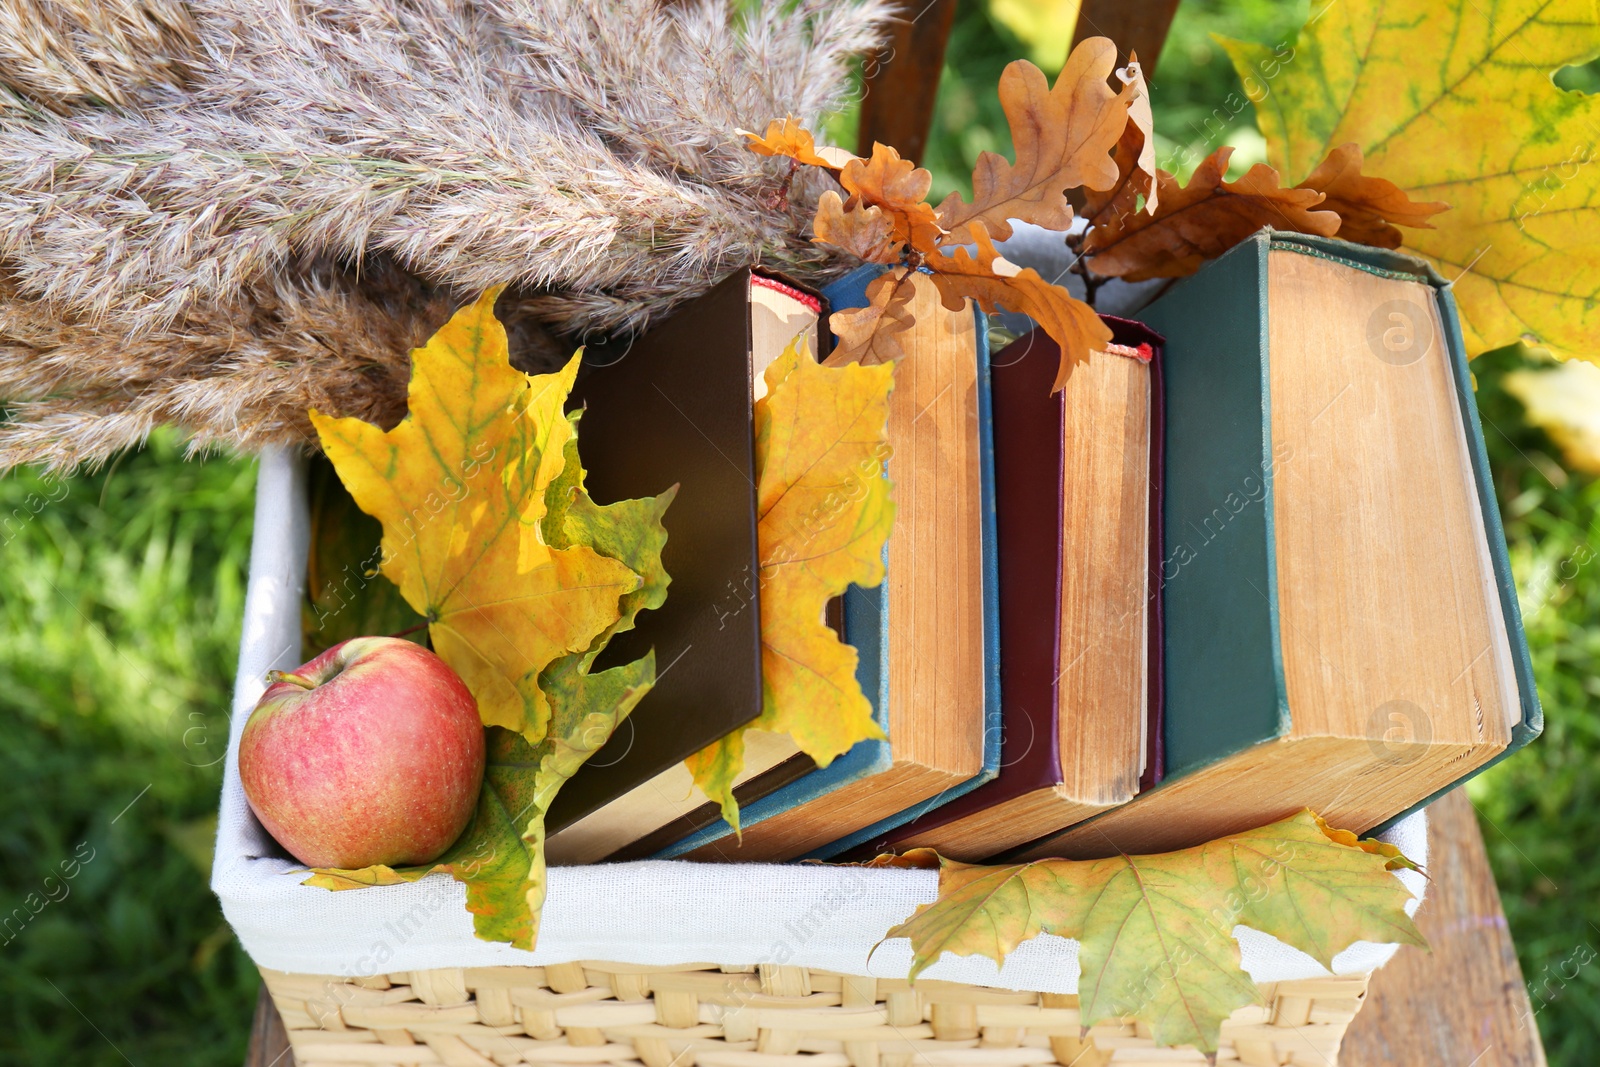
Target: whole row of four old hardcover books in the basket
(1246, 562)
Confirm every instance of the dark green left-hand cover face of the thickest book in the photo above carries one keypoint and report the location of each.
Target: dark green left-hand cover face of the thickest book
(1223, 660)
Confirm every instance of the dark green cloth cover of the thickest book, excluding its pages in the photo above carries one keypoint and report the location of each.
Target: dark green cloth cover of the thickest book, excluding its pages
(1225, 673)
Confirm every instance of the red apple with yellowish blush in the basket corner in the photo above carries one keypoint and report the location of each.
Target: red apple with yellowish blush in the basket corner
(370, 754)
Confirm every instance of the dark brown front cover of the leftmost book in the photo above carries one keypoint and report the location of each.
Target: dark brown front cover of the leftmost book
(674, 409)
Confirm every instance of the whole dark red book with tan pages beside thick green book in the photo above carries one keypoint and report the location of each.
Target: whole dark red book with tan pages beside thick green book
(1079, 503)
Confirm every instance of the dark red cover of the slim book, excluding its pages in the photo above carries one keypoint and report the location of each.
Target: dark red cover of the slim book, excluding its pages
(1028, 442)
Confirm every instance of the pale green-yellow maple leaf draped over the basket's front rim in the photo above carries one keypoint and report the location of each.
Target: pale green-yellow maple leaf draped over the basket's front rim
(1156, 933)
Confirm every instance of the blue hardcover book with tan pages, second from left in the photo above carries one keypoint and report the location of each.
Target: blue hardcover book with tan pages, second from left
(934, 653)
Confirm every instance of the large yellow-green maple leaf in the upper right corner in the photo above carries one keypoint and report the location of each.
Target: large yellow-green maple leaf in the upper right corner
(1452, 100)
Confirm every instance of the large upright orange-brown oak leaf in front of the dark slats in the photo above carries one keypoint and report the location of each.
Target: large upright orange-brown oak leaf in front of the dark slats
(1063, 138)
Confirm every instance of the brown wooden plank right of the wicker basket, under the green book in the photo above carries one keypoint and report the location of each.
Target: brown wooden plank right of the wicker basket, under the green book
(1466, 1002)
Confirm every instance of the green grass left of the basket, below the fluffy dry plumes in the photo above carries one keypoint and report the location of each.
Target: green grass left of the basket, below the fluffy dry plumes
(122, 599)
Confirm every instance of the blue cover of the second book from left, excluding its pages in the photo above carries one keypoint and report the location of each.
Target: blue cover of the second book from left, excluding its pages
(866, 623)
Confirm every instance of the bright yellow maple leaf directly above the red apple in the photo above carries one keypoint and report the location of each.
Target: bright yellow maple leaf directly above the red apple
(460, 487)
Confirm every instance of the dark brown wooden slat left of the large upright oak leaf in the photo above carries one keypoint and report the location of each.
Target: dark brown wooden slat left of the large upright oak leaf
(903, 81)
